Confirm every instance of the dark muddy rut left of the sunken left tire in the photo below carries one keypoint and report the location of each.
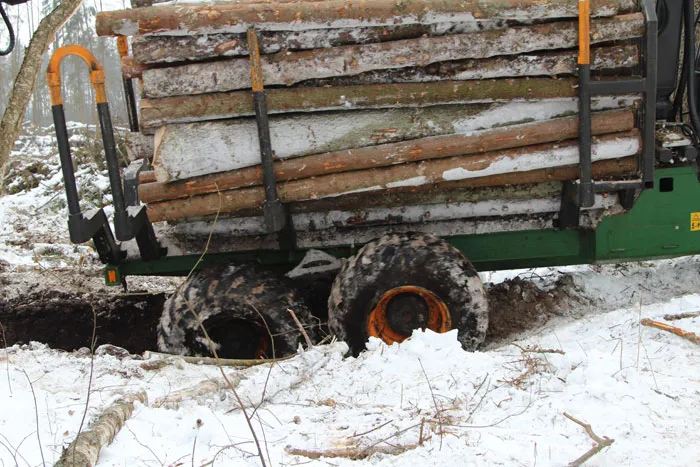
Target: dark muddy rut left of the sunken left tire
(64, 320)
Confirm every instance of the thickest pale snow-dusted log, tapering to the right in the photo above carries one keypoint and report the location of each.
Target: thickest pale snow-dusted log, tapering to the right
(190, 150)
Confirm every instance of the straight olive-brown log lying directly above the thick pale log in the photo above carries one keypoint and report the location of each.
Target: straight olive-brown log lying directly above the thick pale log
(181, 109)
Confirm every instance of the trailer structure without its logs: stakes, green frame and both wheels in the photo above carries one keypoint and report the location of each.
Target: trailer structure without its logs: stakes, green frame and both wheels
(400, 277)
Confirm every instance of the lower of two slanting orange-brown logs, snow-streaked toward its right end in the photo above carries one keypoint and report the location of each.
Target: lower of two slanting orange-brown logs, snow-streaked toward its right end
(410, 174)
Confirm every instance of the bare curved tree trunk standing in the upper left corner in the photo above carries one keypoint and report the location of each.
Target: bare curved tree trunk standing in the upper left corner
(26, 78)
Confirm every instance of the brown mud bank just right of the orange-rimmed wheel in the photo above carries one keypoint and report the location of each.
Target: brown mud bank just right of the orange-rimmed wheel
(517, 306)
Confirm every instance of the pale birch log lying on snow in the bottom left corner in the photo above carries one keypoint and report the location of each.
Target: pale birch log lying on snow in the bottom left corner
(85, 450)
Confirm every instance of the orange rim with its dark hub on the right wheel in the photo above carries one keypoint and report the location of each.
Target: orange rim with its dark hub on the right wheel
(403, 309)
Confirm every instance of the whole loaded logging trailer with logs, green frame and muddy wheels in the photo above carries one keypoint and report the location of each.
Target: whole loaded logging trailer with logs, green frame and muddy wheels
(414, 243)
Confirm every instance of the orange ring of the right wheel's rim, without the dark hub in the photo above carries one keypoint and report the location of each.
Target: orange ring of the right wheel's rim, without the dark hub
(378, 322)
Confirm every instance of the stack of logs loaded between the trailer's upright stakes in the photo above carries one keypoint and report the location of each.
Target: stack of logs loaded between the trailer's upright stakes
(386, 97)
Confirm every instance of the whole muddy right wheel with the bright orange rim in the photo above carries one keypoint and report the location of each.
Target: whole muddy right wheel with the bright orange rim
(385, 269)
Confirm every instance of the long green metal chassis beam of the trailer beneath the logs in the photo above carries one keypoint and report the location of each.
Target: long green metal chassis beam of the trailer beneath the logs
(664, 223)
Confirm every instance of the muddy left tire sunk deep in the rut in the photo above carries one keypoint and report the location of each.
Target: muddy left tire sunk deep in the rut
(237, 304)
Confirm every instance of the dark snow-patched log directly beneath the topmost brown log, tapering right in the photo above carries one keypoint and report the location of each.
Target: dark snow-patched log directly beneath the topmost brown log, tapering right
(173, 49)
